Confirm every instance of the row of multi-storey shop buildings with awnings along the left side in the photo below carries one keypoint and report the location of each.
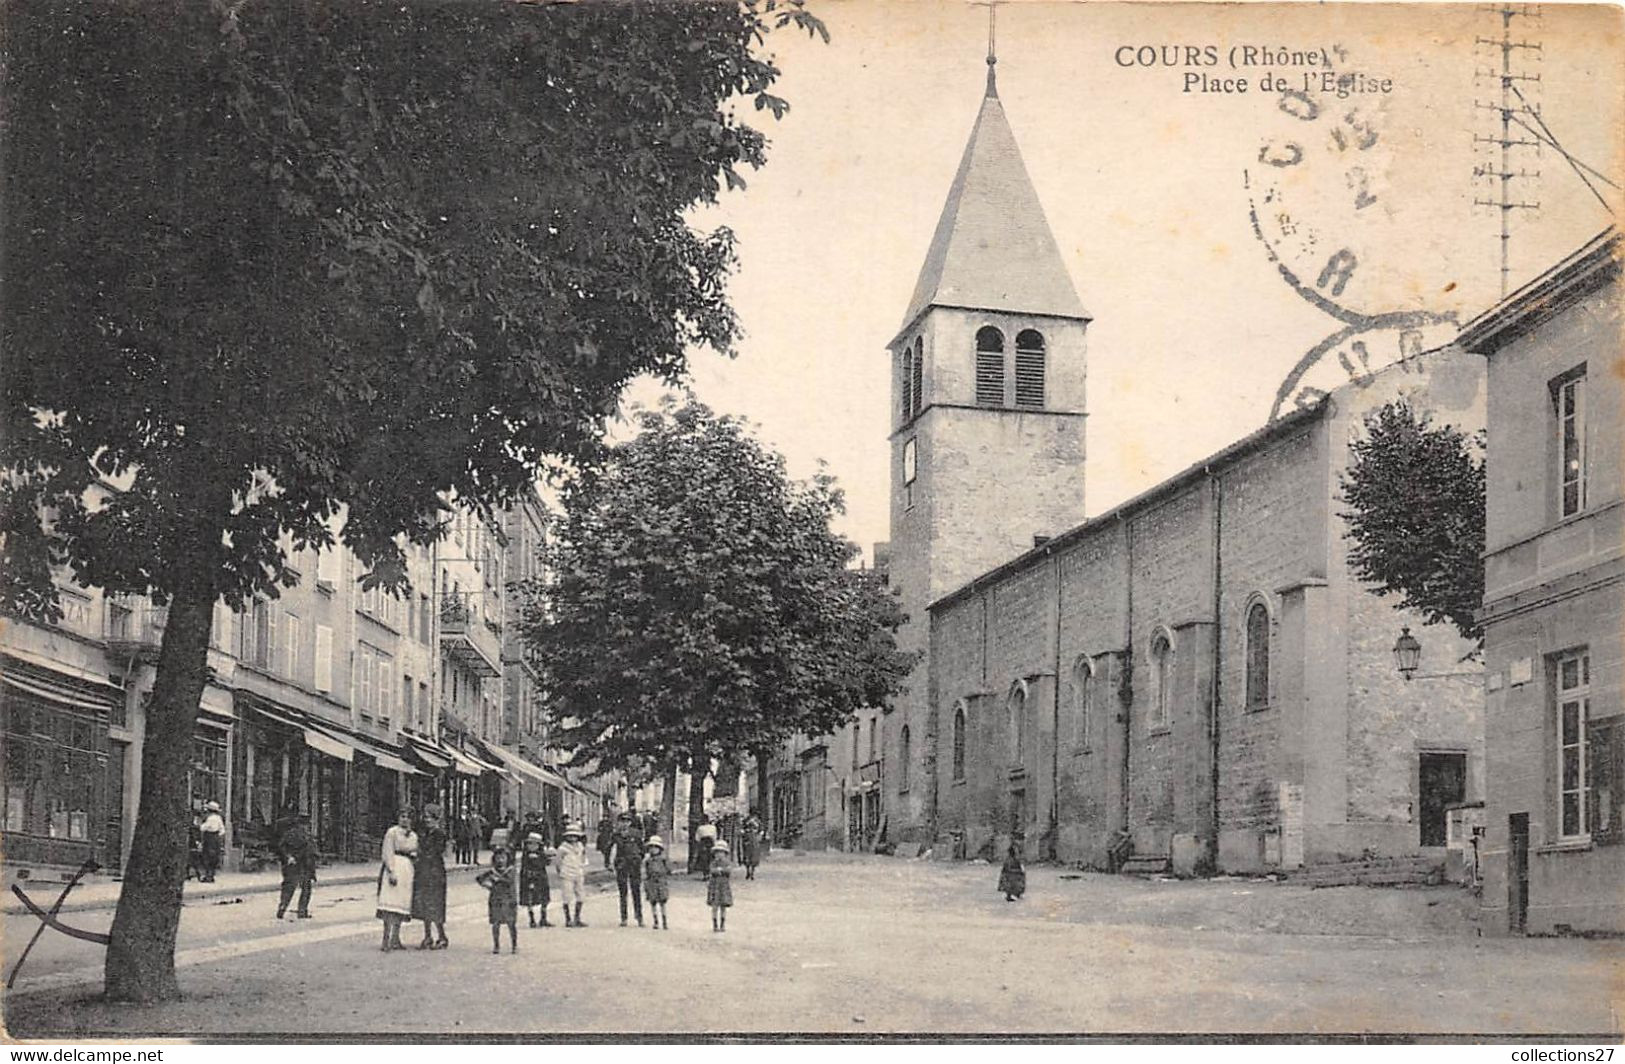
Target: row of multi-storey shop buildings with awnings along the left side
(340, 703)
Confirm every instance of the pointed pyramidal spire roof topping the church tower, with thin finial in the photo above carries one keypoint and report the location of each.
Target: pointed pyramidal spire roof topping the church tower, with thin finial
(994, 249)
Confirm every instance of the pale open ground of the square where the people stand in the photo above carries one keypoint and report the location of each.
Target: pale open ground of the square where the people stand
(838, 945)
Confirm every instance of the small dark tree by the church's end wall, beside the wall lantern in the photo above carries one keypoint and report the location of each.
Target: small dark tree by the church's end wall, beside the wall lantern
(1416, 514)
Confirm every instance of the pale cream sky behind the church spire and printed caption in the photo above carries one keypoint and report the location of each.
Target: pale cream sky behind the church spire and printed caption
(1143, 184)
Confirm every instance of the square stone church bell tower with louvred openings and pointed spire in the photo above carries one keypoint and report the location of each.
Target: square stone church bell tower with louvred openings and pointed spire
(987, 431)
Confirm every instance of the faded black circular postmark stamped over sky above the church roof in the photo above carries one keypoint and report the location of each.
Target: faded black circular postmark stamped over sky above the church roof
(1322, 201)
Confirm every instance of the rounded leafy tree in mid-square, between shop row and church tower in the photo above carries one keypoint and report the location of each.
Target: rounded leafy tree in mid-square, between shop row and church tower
(700, 605)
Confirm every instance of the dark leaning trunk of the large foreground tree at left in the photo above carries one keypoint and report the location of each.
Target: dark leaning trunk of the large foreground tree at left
(142, 954)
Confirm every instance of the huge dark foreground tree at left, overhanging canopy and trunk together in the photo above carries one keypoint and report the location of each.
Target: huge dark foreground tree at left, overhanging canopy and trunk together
(272, 264)
